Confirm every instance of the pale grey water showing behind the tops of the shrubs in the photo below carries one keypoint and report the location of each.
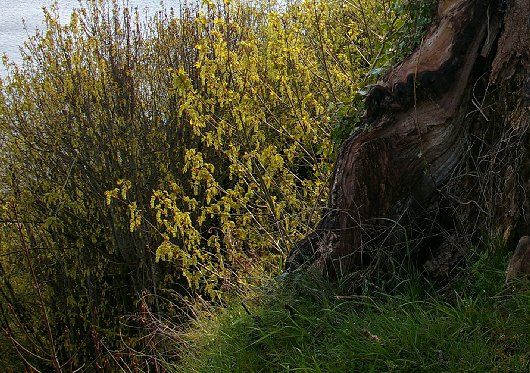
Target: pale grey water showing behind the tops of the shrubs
(19, 18)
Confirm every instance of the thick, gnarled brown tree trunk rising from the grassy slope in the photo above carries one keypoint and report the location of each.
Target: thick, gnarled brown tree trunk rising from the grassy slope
(443, 158)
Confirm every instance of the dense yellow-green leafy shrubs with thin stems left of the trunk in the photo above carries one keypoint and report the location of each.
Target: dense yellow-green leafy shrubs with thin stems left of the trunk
(147, 162)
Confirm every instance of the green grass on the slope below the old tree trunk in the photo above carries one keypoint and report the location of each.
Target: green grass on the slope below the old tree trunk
(300, 324)
